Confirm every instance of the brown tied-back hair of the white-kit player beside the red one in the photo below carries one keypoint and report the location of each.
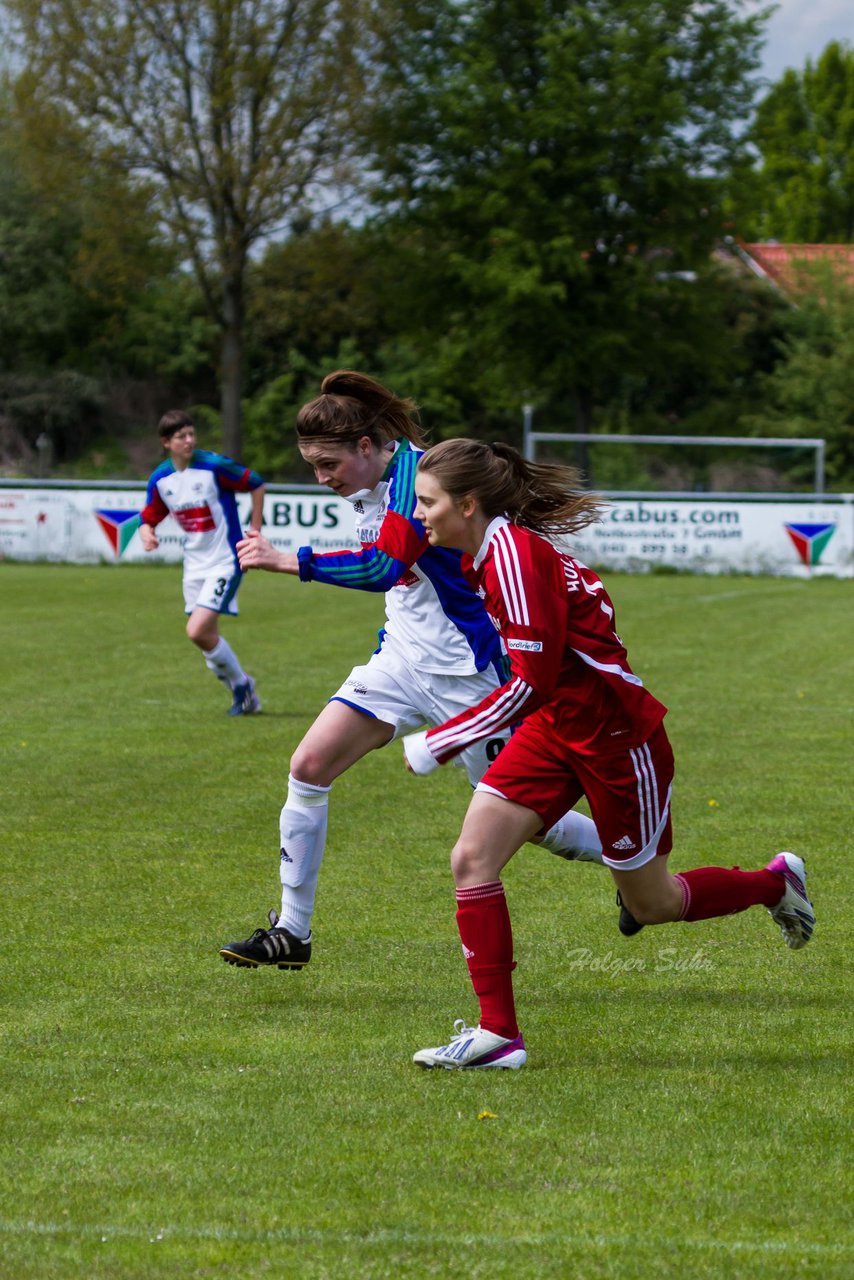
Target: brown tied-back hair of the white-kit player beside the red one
(354, 405)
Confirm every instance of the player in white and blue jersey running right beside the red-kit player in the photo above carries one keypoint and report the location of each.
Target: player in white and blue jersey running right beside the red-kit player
(439, 653)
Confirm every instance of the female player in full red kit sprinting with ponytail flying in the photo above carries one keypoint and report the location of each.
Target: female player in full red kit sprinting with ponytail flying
(588, 728)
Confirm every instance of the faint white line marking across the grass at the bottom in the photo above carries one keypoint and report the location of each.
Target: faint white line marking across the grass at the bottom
(387, 1236)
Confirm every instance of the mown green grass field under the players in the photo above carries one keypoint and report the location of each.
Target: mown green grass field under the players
(684, 1112)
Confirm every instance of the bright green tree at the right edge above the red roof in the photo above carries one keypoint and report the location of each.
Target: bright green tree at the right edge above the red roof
(805, 135)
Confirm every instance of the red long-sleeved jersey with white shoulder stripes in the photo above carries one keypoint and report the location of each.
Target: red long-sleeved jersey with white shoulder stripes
(570, 674)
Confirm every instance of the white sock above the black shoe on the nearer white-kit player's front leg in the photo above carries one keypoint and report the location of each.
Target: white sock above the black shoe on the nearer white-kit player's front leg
(303, 830)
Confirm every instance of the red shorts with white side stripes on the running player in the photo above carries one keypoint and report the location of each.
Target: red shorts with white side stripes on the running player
(628, 793)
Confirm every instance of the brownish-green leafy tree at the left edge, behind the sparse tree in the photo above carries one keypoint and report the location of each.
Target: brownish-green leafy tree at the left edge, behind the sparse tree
(92, 298)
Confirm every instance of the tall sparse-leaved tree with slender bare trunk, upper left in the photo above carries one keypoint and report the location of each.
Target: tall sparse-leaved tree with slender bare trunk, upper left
(234, 109)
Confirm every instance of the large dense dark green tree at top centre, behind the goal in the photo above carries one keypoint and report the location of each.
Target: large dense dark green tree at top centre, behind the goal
(551, 170)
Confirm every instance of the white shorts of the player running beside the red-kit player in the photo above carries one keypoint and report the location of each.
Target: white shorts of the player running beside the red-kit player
(392, 691)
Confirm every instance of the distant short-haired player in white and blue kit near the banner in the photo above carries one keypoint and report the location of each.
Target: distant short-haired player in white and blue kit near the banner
(198, 490)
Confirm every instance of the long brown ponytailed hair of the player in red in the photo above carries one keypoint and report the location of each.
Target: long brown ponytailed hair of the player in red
(541, 496)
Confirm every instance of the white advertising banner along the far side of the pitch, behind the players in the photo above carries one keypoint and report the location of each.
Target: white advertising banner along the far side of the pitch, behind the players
(713, 536)
